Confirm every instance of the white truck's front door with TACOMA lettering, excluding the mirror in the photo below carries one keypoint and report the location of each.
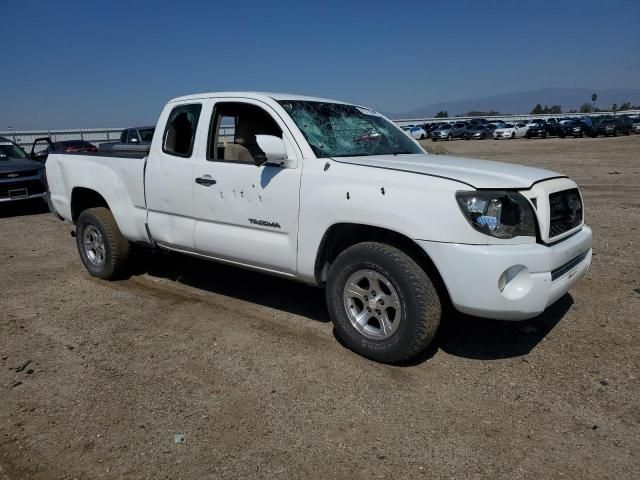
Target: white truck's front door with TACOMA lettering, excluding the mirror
(246, 214)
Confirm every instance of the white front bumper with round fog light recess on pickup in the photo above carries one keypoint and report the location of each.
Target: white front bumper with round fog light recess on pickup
(510, 282)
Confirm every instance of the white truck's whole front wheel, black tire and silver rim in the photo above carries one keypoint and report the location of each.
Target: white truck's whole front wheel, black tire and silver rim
(382, 303)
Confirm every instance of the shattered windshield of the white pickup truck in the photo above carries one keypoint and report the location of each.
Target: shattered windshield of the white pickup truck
(339, 130)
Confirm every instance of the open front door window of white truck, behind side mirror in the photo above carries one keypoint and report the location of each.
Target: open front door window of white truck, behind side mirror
(233, 130)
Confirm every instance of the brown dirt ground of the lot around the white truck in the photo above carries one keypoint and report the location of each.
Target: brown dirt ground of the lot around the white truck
(247, 368)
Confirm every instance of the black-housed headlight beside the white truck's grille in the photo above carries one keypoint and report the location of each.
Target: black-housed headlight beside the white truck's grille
(500, 214)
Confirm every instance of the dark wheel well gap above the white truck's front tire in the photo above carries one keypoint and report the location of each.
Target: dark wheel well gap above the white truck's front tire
(343, 235)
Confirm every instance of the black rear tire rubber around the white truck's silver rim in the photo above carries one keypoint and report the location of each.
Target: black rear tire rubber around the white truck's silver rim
(117, 247)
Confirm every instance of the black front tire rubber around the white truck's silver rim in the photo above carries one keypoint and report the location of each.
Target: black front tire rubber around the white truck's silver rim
(421, 308)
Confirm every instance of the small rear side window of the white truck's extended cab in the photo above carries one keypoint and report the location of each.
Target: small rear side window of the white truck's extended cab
(180, 132)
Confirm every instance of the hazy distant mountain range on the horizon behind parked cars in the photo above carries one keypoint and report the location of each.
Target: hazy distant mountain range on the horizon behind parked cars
(523, 102)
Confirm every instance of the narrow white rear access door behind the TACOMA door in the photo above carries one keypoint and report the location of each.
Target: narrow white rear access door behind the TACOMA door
(169, 176)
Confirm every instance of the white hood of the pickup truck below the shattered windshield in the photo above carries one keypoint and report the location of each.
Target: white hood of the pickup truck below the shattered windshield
(473, 172)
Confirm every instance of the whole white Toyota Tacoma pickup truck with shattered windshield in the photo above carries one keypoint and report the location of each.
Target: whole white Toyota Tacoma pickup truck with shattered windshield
(334, 195)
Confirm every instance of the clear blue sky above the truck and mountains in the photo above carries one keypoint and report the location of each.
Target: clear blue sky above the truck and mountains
(115, 63)
